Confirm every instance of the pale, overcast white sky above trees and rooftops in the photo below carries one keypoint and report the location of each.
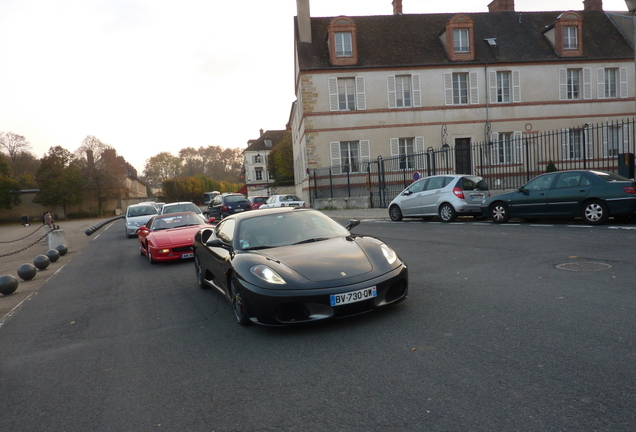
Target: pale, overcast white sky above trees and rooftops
(147, 76)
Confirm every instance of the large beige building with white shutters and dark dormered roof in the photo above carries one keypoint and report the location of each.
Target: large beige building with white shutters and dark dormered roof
(399, 84)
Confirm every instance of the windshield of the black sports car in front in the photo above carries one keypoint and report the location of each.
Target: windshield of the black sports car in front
(284, 229)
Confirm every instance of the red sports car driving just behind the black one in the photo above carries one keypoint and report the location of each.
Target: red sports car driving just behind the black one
(170, 236)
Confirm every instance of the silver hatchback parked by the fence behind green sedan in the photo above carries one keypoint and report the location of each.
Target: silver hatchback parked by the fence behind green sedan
(446, 196)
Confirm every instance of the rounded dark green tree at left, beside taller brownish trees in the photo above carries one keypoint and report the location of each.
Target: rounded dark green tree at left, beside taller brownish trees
(60, 179)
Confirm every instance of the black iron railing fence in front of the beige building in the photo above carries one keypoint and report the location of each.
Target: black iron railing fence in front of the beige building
(506, 161)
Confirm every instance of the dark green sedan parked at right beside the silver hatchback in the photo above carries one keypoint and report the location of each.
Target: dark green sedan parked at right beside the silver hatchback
(592, 195)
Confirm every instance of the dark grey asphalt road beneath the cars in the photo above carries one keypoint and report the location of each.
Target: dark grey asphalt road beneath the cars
(493, 337)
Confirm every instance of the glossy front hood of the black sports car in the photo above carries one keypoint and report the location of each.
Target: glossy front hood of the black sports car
(333, 259)
